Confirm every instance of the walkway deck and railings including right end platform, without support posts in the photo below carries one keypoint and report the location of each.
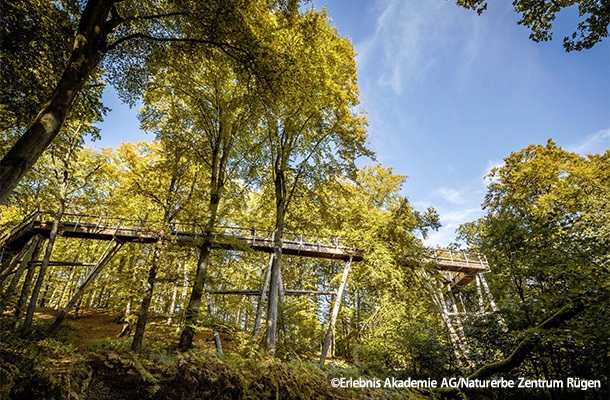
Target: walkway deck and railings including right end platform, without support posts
(458, 268)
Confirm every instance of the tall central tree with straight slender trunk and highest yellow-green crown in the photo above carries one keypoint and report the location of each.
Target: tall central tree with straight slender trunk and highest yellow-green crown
(309, 124)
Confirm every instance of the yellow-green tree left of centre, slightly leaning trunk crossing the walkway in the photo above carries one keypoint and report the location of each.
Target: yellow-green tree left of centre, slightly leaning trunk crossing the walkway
(199, 106)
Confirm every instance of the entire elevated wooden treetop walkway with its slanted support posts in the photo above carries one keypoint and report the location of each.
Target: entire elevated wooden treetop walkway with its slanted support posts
(457, 269)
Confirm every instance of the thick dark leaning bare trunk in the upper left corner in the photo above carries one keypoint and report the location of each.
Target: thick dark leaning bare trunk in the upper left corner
(88, 50)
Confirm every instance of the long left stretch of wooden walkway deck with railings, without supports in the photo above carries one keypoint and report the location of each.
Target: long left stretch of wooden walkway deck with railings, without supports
(141, 231)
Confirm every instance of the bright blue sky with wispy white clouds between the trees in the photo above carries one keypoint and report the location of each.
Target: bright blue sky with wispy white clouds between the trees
(449, 94)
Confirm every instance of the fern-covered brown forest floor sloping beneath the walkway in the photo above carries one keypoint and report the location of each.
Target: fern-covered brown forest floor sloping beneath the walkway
(87, 360)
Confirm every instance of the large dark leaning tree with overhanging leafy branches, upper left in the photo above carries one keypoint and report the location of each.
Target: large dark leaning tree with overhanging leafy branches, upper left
(128, 30)
